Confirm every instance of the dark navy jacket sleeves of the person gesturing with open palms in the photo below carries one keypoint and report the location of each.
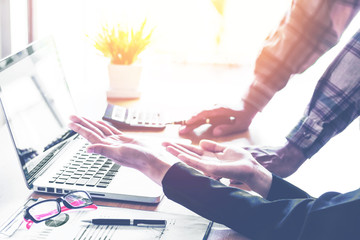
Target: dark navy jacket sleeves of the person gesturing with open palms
(332, 216)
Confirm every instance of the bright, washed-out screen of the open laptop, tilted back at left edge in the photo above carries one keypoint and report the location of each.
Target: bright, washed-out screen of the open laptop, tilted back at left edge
(35, 100)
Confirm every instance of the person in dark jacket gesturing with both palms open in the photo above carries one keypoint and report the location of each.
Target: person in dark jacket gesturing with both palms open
(280, 211)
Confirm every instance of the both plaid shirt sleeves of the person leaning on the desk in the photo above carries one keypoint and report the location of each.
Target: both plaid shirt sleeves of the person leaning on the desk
(307, 32)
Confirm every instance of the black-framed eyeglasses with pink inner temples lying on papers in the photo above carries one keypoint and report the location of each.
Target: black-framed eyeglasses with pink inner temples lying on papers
(50, 208)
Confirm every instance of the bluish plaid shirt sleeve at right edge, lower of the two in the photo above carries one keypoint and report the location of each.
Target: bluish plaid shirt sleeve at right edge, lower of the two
(334, 104)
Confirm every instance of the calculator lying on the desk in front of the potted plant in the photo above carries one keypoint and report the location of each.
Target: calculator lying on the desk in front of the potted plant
(125, 118)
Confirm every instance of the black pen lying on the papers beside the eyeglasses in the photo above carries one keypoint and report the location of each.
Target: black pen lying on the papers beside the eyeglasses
(128, 222)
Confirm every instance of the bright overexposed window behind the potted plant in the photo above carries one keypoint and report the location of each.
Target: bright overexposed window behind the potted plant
(185, 30)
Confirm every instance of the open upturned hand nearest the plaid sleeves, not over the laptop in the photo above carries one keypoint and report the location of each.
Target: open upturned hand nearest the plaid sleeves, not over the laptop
(219, 161)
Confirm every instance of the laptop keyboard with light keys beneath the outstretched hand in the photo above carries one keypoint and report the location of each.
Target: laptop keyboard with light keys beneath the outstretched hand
(86, 169)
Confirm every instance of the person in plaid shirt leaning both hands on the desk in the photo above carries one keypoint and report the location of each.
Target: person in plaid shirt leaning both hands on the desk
(304, 34)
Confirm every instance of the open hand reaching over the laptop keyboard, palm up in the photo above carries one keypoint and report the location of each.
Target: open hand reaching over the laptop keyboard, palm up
(125, 150)
